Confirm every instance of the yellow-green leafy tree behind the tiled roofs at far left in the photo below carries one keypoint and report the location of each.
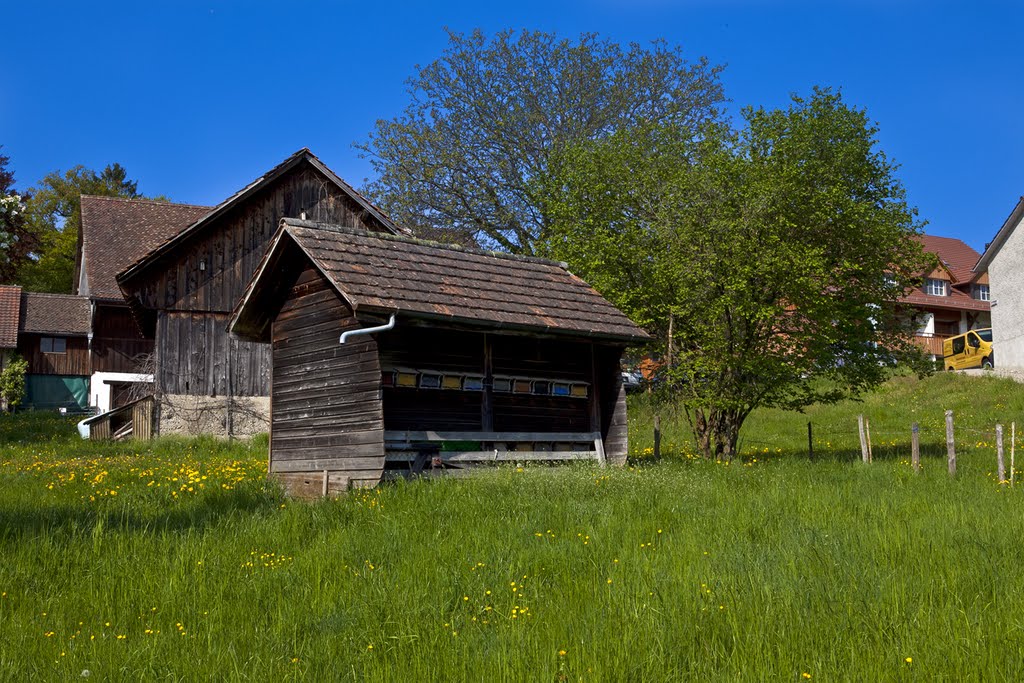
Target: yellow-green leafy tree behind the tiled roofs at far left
(55, 214)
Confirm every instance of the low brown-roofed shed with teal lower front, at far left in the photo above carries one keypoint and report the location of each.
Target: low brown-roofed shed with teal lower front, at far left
(54, 338)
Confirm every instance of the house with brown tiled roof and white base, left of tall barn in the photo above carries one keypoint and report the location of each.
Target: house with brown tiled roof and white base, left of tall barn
(116, 233)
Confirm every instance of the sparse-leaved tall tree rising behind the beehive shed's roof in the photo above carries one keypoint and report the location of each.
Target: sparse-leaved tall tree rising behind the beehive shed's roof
(486, 118)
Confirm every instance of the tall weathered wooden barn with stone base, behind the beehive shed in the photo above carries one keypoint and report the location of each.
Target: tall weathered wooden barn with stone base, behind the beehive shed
(183, 291)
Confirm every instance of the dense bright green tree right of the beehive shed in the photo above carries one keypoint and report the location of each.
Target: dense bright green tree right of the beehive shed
(777, 251)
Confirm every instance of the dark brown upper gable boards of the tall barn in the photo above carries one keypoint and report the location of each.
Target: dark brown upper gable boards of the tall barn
(210, 272)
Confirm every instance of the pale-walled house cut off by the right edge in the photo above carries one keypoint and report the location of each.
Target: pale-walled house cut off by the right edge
(1004, 261)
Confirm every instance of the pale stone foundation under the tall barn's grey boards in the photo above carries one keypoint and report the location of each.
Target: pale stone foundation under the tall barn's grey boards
(191, 416)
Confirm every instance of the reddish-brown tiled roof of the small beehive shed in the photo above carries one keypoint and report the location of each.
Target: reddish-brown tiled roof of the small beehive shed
(389, 274)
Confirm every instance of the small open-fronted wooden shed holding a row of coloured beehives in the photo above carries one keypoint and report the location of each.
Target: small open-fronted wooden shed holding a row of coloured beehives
(478, 357)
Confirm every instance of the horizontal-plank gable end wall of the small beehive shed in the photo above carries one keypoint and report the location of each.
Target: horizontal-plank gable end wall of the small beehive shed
(326, 403)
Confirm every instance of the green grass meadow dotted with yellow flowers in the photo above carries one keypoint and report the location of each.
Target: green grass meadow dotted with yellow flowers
(176, 561)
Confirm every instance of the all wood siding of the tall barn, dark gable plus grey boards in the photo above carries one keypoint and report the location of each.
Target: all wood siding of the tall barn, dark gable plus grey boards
(197, 286)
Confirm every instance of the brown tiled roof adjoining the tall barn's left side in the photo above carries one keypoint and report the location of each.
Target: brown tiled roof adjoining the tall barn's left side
(116, 233)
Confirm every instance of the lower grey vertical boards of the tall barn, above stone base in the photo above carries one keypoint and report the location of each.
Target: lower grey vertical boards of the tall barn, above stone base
(197, 357)
